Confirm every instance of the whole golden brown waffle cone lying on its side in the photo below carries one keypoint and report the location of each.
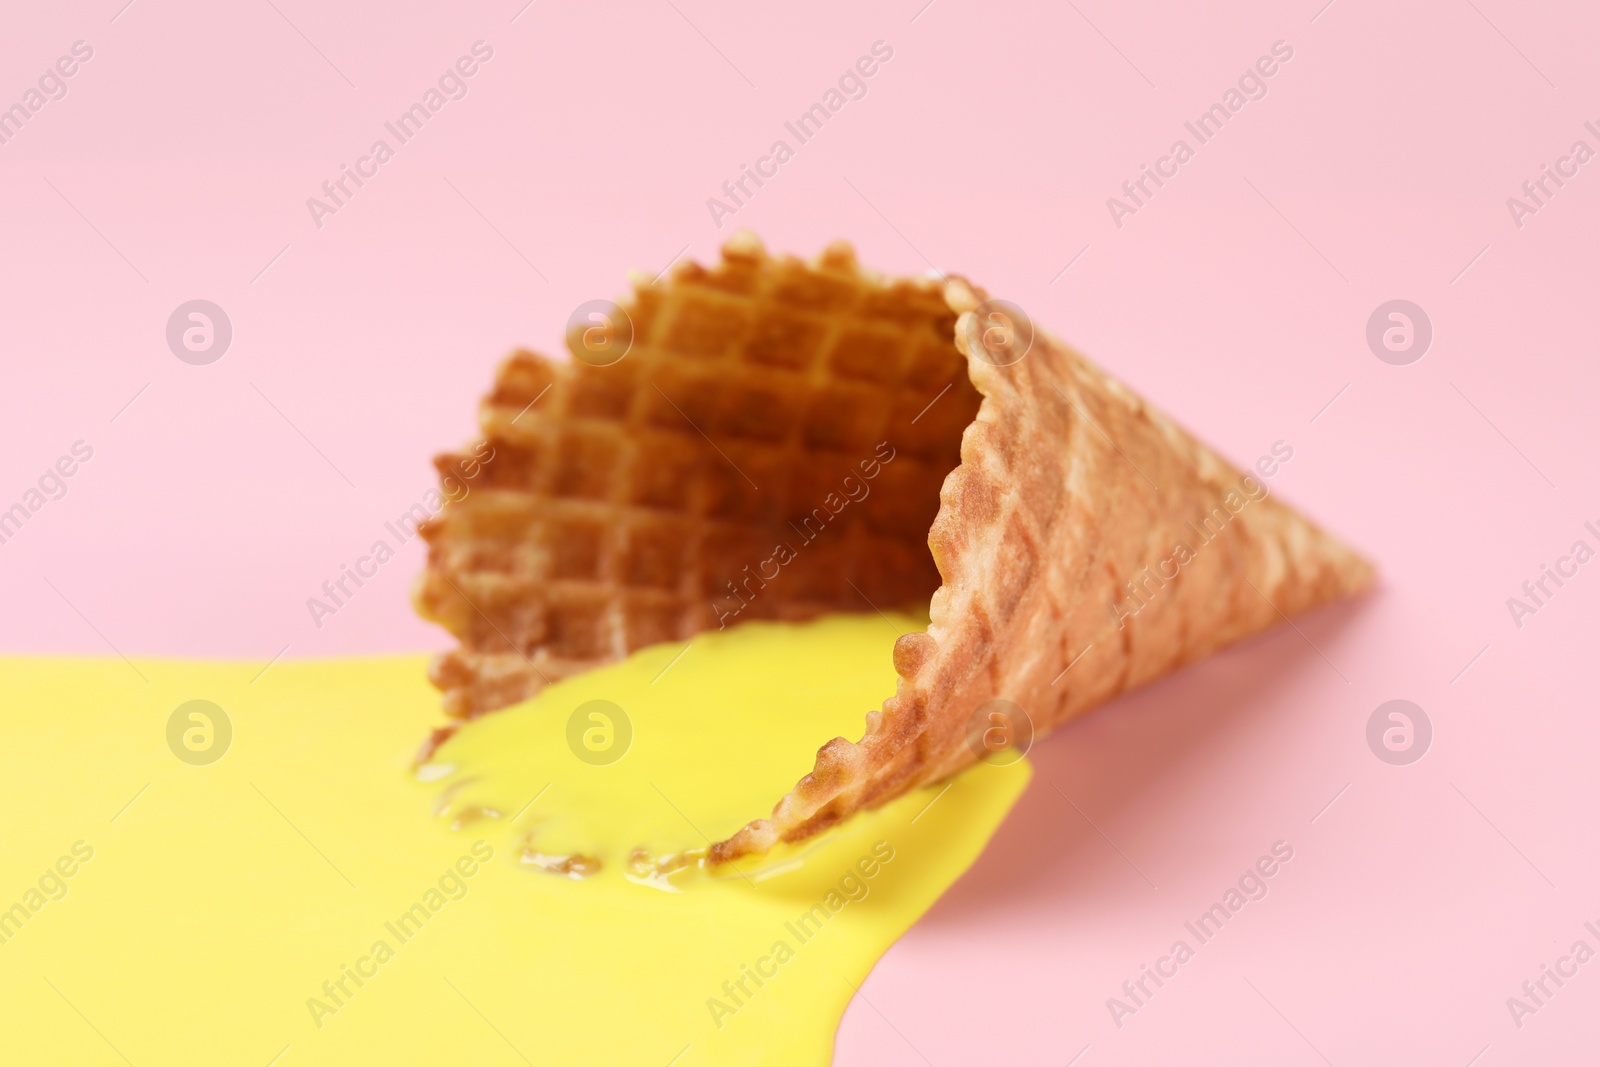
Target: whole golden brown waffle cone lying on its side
(644, 502)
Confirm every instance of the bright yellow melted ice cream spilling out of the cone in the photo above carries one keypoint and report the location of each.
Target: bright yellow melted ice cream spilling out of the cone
(308, 898)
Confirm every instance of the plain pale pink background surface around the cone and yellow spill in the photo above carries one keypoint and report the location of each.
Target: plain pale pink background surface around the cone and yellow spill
(1377, 167)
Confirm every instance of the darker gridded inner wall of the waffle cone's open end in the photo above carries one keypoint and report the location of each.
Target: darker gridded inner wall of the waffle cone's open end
(772, 447)
